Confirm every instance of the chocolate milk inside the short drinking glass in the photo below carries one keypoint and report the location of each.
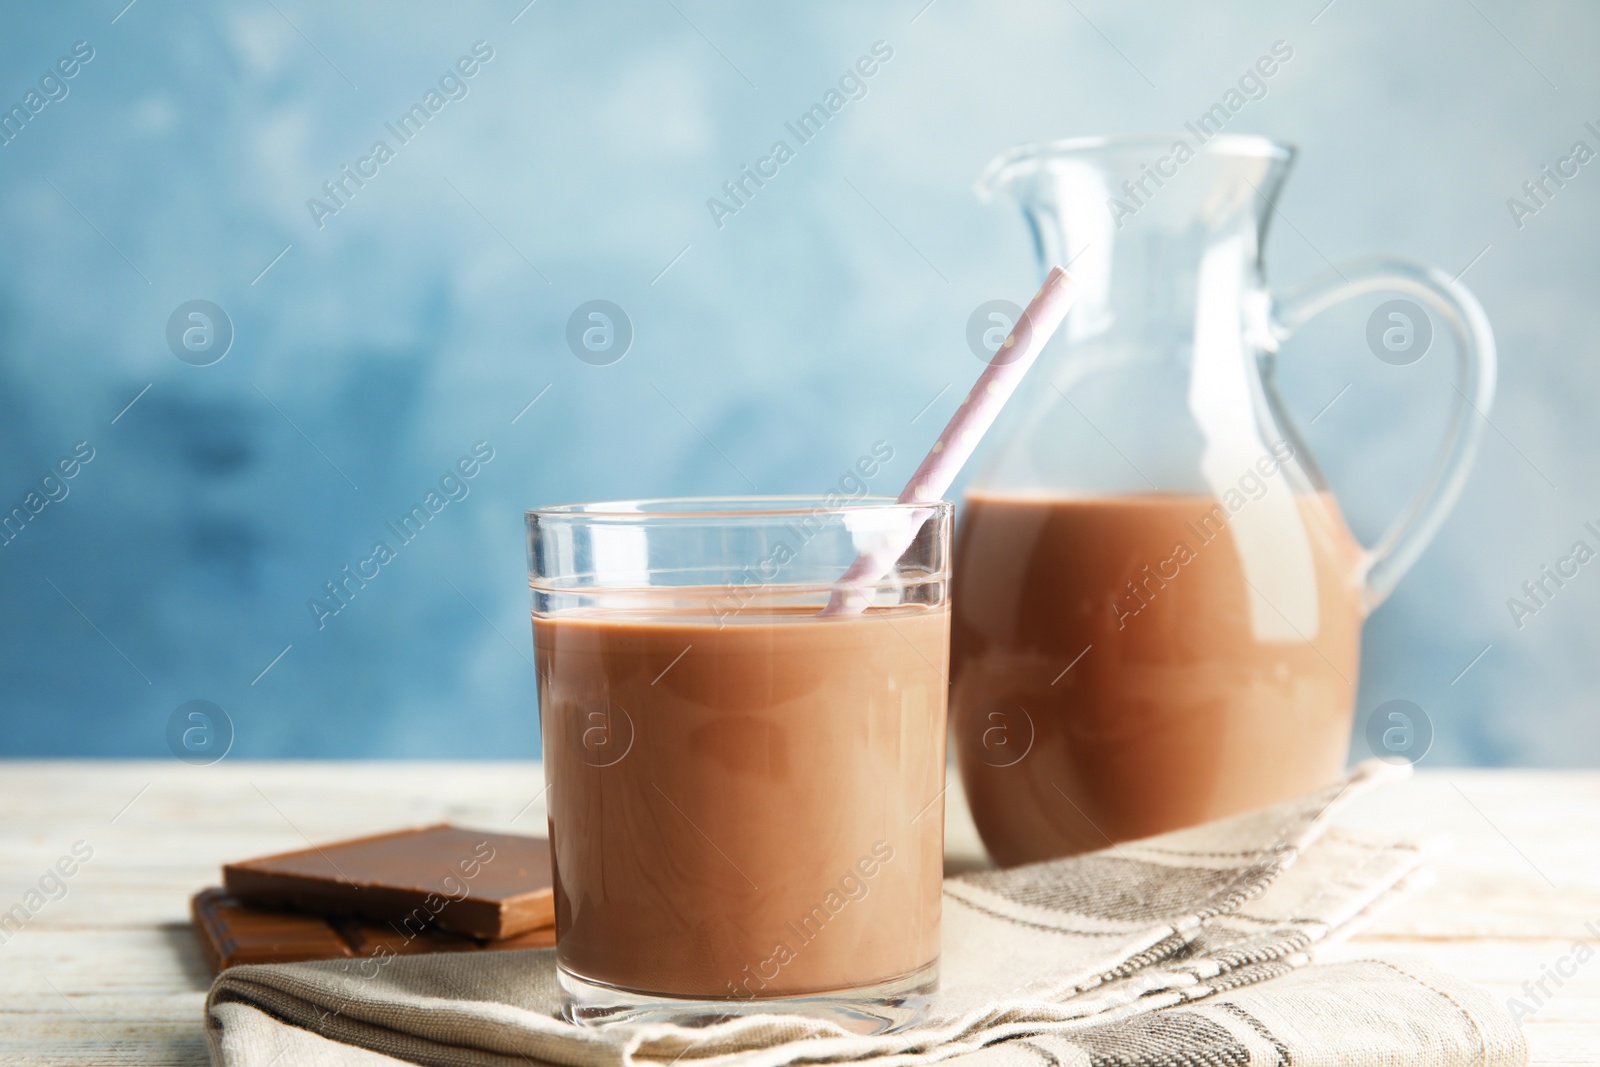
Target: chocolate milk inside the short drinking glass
(751, 810)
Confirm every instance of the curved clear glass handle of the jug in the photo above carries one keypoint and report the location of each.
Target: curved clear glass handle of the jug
(1394, 554)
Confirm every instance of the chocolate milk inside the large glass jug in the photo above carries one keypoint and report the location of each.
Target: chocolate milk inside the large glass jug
(1134, 665)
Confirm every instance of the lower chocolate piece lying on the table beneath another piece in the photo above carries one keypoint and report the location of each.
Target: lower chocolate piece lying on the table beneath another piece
(233, 933)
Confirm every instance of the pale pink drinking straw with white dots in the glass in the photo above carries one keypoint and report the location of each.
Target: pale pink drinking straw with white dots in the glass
(1010, 362)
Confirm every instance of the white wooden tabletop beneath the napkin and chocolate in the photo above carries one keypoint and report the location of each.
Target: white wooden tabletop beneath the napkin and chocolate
(111, 975)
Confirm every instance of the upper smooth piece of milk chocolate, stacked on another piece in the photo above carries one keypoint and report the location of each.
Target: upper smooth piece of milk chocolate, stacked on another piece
(470, 882)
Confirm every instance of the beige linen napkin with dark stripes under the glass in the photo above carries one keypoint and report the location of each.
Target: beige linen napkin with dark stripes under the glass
(1190, 948)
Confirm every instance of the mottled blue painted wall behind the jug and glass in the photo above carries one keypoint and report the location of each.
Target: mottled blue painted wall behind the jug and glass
(826, 314)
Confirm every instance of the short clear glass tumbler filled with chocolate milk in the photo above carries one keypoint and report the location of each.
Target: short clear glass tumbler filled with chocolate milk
(746, 797)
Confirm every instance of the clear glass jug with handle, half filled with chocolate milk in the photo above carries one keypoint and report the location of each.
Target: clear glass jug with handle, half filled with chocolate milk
(1158, 604)
